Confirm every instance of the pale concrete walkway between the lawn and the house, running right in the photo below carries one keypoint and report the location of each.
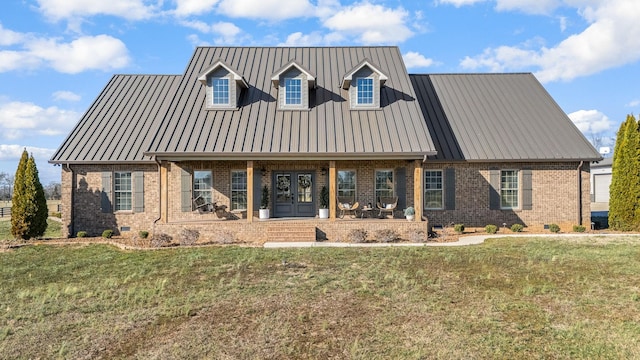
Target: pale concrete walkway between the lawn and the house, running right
(463, 241)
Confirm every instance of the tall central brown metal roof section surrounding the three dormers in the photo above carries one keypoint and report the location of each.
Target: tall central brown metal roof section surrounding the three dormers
(329, 129)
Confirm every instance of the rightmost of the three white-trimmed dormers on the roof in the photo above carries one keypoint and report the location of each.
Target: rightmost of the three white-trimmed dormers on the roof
(363, 83)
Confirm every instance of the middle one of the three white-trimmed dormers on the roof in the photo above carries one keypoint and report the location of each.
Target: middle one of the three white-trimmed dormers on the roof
(293, 82)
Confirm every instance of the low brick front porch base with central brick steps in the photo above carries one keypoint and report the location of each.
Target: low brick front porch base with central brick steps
(257, 232)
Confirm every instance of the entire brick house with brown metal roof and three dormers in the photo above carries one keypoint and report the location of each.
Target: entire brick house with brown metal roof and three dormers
(166, 152)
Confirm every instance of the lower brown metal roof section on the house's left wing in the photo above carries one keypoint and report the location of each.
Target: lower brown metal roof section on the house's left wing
(120, 123)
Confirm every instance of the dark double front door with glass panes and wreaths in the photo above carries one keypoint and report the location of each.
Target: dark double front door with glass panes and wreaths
(294, 195)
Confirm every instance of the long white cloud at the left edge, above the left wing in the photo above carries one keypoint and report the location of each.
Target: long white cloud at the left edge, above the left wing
(101, 52)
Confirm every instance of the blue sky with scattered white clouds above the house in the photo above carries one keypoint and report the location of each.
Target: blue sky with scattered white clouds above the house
(57, 55)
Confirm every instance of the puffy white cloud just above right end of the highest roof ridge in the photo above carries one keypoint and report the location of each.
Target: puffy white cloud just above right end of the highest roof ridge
(371, 24)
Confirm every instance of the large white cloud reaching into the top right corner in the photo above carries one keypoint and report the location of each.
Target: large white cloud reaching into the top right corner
(612, 39)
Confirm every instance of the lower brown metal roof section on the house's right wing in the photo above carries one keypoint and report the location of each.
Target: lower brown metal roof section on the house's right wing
(497, 117)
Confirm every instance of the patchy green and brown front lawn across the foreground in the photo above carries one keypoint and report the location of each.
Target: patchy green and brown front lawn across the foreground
(513, 298)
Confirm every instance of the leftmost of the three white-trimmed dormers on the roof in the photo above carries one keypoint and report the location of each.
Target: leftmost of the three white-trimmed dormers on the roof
(223, 84)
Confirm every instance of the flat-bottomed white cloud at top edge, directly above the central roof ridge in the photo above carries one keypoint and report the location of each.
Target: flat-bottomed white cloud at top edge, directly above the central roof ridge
(266, 9)
